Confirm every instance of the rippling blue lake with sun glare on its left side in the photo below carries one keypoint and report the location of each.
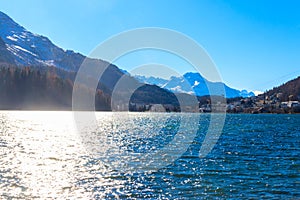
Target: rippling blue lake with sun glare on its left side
(42, 155)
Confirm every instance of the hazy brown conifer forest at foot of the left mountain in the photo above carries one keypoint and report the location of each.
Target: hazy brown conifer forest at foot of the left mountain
(29, 88)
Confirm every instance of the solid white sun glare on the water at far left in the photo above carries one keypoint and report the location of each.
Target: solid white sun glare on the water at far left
(42, 155)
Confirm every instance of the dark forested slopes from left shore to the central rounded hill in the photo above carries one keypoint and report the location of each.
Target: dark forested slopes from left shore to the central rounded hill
(40, 88)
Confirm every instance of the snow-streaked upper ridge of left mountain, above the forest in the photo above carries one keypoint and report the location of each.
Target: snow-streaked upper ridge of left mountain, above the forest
(24, 48)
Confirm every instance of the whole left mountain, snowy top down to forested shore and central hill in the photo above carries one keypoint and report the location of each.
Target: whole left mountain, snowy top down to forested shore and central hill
(19, 48)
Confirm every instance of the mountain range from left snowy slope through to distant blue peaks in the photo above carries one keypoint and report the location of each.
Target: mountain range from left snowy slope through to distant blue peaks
(27, 55)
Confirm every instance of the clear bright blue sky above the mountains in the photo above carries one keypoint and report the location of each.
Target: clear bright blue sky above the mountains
(255, 44)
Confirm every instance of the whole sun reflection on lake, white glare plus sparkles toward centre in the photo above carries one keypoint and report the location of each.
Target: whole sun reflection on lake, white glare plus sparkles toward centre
(44, 155)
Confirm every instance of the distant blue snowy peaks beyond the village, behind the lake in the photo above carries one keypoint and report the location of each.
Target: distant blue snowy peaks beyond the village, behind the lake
(194, 83)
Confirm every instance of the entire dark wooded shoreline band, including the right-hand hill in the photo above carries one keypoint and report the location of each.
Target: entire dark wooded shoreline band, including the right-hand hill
(50, 88)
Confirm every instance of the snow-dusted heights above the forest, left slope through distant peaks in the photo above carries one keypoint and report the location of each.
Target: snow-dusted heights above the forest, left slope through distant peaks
(20, 47)
